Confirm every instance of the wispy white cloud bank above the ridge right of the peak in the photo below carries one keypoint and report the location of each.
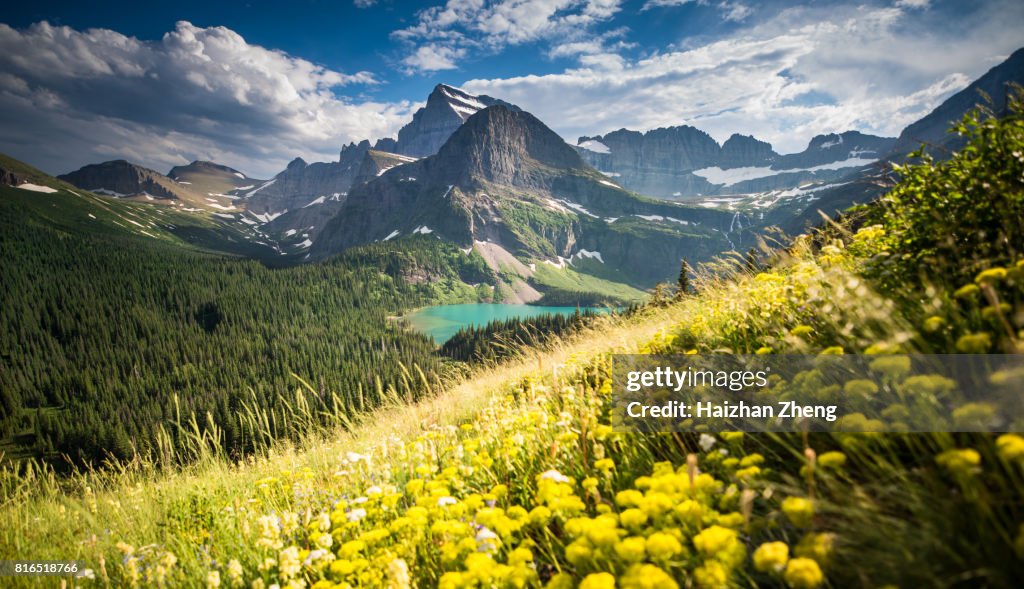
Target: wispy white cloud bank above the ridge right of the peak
(804, 72)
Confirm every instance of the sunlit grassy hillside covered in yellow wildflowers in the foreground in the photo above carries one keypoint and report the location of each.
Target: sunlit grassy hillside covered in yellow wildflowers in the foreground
(517, 479)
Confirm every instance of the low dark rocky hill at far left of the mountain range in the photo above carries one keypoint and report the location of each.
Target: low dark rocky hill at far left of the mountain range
(123, 179)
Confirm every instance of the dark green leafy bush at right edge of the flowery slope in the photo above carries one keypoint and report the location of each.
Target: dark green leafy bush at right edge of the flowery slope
(948, 222)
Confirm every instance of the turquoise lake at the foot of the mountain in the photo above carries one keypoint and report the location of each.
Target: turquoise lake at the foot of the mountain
(443, 322)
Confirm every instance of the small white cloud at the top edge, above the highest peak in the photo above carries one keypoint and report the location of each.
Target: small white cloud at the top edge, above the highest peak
(443, 35)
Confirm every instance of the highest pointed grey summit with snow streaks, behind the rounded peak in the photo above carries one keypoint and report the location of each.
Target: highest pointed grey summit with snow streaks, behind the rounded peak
(447, 110)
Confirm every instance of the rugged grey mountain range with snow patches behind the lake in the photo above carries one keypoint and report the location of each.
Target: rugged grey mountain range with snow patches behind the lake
(616, 212)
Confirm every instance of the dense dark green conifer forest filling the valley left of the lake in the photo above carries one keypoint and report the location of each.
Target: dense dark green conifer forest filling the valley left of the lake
(111, 342)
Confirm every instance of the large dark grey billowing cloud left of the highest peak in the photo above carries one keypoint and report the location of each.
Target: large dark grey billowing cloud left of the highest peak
(70, 98)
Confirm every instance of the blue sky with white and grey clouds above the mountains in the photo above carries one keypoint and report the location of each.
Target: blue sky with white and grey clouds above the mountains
(253, 85)
